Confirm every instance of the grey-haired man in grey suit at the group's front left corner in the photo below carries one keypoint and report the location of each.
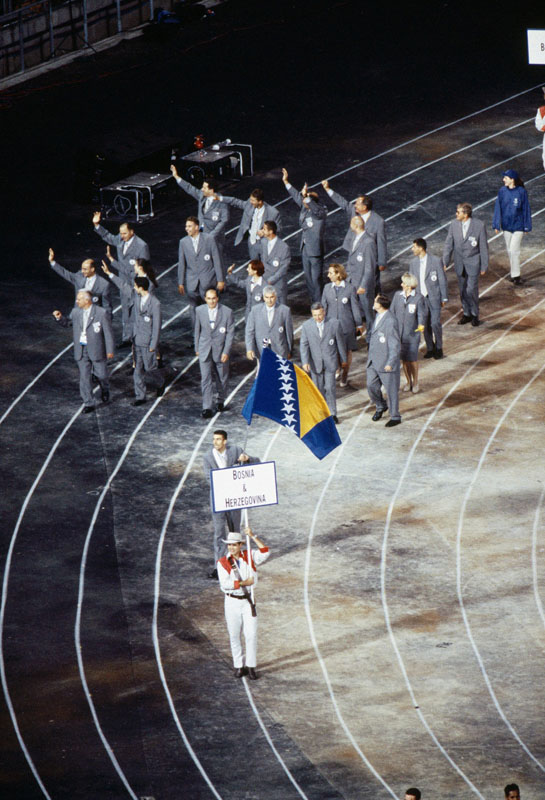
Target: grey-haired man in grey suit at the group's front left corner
(93, 345)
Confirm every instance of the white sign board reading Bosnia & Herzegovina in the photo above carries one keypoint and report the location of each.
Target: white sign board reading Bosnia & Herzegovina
(244, 486)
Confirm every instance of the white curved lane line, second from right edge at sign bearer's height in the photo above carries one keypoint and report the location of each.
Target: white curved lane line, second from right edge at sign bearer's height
(459, 588)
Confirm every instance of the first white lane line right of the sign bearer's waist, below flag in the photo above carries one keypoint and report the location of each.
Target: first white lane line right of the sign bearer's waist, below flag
(310, 621)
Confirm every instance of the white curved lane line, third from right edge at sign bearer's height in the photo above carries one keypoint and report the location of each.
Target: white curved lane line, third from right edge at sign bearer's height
(389, 515)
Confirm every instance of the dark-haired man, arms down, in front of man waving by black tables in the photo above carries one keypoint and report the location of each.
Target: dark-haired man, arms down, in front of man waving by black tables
(199, 265)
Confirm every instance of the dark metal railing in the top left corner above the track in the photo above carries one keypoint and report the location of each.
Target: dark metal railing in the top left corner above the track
(41, 31)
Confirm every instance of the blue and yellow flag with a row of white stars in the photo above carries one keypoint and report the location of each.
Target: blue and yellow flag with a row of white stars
(285, 393)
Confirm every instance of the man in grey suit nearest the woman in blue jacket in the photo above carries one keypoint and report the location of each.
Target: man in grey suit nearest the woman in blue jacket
(470, 258)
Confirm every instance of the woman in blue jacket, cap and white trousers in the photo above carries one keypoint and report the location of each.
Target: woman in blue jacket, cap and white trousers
(512, 216)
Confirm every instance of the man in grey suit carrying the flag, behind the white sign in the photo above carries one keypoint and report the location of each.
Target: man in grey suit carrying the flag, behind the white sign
(220, 456)
